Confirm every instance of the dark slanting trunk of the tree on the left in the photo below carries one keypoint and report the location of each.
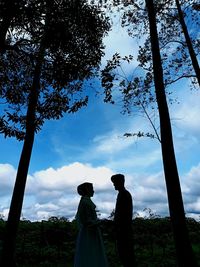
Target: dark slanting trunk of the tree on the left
(8, 252)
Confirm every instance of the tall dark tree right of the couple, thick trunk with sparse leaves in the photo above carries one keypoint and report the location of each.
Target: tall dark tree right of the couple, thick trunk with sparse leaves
(137, 91)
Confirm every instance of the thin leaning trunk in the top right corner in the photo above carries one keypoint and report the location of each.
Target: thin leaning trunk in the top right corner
(189, 43)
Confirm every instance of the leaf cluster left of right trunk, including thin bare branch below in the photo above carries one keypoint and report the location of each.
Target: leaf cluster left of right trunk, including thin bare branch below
(136, 90)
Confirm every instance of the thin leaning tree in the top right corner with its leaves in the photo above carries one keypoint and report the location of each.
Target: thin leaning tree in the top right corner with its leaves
(179, 50)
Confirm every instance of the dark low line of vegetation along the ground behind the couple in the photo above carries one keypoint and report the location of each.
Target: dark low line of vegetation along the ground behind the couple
(52, 242)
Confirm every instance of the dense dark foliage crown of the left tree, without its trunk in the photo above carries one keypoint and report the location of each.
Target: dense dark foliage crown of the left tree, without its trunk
(59, 37)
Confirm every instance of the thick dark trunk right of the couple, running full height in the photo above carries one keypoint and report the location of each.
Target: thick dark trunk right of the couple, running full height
(183, 246)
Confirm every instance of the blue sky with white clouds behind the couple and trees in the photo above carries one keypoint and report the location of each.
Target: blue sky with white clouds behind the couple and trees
(89, 146)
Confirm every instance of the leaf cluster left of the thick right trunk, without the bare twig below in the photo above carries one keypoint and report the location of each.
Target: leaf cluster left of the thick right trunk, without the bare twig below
(135, 89)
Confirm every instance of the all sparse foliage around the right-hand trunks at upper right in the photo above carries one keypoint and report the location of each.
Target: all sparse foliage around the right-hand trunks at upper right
(137, 88)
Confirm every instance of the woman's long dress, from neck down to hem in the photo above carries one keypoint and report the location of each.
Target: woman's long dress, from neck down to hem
(90, 250)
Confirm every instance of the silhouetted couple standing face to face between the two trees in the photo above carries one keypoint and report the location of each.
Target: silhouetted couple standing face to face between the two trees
(90, 250)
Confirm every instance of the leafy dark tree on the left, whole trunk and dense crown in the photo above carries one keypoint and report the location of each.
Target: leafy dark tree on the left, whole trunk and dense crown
(58, 45)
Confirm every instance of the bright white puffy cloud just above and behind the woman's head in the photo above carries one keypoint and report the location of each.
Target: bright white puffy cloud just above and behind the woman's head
(68, 177)
